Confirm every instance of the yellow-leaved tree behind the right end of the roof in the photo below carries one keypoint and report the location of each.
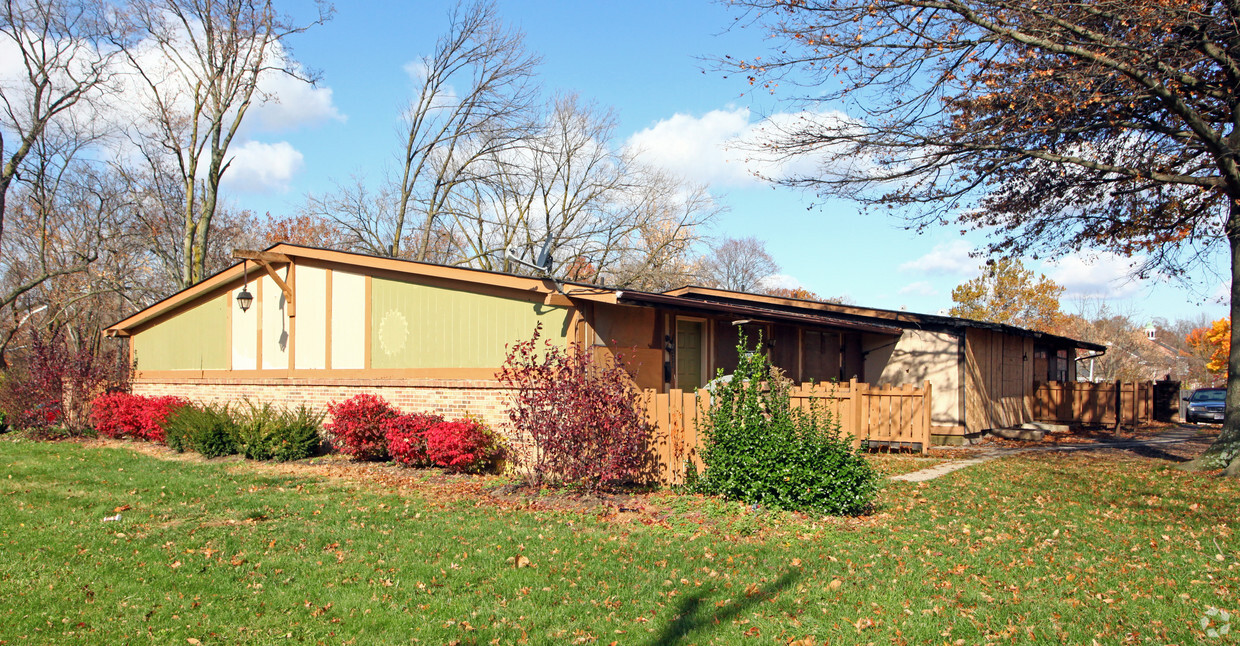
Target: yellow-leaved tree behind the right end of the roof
(1007, 293)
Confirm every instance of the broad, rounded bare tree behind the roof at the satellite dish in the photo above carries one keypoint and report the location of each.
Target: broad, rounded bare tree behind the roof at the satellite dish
(608, 218)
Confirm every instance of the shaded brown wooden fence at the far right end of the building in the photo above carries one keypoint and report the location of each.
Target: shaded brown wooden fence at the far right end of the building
(1109, 404)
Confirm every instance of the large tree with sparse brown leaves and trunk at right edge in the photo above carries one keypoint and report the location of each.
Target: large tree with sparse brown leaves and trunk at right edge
(1057, 127)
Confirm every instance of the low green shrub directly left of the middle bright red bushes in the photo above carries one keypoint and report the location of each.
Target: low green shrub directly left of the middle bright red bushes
(268, 433)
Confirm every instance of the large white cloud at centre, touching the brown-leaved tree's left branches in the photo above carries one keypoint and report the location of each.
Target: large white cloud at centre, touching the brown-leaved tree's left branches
(720, 147)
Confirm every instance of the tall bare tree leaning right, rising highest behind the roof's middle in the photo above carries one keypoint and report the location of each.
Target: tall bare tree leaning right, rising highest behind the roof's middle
(476, 94)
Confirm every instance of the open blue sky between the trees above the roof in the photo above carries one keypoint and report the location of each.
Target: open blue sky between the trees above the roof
(645, 60)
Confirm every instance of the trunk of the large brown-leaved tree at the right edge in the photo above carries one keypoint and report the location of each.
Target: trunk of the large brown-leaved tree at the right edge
(1226, 451)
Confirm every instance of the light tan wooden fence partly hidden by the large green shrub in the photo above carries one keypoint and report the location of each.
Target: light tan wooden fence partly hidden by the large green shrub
(882, 416)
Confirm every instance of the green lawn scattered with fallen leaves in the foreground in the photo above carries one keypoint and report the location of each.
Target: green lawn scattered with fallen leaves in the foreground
(1035, 550)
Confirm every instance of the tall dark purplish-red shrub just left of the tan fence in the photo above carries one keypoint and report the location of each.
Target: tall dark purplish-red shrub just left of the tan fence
(586, 418)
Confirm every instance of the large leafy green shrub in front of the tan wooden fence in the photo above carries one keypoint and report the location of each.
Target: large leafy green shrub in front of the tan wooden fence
(759, 451)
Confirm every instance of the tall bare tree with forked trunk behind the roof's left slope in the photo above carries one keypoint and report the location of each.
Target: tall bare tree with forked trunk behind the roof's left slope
(201, 64)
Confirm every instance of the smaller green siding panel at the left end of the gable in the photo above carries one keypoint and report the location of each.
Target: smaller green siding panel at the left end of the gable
(195, 339)
